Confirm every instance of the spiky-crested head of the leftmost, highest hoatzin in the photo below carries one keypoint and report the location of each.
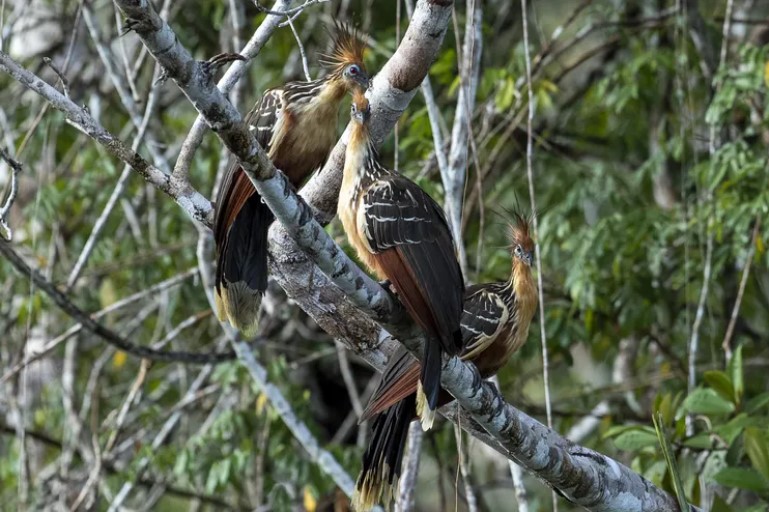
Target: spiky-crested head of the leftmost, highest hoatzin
(345, 59)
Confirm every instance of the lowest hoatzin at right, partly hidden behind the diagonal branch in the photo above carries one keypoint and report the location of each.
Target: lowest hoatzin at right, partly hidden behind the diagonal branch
(495, 323)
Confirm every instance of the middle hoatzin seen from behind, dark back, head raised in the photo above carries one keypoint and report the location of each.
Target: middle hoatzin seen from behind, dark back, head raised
(401, 234)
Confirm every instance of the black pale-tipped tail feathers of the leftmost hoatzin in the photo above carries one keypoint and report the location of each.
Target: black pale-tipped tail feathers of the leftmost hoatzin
(241, 276)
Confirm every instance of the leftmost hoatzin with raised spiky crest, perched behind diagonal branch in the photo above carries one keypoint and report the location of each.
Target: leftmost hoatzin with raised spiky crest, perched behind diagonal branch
(297, 125)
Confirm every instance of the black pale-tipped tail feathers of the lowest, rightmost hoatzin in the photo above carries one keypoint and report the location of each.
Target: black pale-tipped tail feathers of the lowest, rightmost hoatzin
(378, 480)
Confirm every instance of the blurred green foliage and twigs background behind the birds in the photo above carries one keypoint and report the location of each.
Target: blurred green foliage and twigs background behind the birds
(650, 175)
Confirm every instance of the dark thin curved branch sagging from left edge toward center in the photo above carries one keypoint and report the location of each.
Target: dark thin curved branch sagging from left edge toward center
(108, 335)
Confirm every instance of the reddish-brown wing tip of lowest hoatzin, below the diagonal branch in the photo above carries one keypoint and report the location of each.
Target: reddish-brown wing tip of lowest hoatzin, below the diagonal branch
(399, 380)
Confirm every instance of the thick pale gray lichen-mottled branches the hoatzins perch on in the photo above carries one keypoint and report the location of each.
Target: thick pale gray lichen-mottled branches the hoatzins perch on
(585, 477)
